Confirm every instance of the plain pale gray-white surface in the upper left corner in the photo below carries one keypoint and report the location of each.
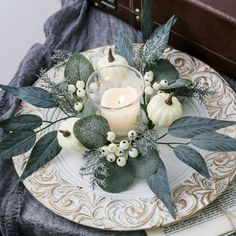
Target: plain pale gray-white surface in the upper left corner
(21, 25)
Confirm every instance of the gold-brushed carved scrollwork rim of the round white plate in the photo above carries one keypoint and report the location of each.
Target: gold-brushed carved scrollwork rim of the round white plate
(99, 210)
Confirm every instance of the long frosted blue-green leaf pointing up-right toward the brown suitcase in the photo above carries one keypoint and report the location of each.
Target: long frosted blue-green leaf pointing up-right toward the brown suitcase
(157, 42)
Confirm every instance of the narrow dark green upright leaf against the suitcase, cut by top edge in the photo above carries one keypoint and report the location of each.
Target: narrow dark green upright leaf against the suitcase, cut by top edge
(146, 20)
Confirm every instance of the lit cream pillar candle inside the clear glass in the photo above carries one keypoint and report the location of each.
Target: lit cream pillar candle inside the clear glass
(120, 108)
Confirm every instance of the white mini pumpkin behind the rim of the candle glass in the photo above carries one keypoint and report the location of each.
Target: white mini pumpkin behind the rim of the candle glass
(118, 73)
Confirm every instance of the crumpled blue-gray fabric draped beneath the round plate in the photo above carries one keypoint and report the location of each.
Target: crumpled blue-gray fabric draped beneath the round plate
(76, 27)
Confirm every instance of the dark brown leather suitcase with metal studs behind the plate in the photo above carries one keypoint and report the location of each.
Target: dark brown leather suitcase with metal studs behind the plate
(205, 29)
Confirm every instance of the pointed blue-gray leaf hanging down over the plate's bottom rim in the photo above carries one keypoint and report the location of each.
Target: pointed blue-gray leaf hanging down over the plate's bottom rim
(158, 183)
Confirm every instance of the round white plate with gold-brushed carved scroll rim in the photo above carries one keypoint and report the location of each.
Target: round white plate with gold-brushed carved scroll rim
(60, 188)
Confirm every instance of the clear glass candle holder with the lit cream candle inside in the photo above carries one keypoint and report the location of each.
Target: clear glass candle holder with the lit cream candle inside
(117, 91)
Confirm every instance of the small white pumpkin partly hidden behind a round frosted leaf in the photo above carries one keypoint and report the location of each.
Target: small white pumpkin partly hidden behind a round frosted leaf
(66, 138)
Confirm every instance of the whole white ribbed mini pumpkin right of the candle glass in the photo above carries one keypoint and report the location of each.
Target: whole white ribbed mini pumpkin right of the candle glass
(163, 109)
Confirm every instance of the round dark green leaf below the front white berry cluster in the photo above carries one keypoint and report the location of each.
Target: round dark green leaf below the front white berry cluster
(118, 179)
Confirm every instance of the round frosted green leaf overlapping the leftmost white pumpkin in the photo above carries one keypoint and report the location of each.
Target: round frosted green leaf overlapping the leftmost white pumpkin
(91, 131)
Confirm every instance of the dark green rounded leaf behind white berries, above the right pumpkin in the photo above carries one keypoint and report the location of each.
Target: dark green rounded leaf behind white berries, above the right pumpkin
(163, 70)
